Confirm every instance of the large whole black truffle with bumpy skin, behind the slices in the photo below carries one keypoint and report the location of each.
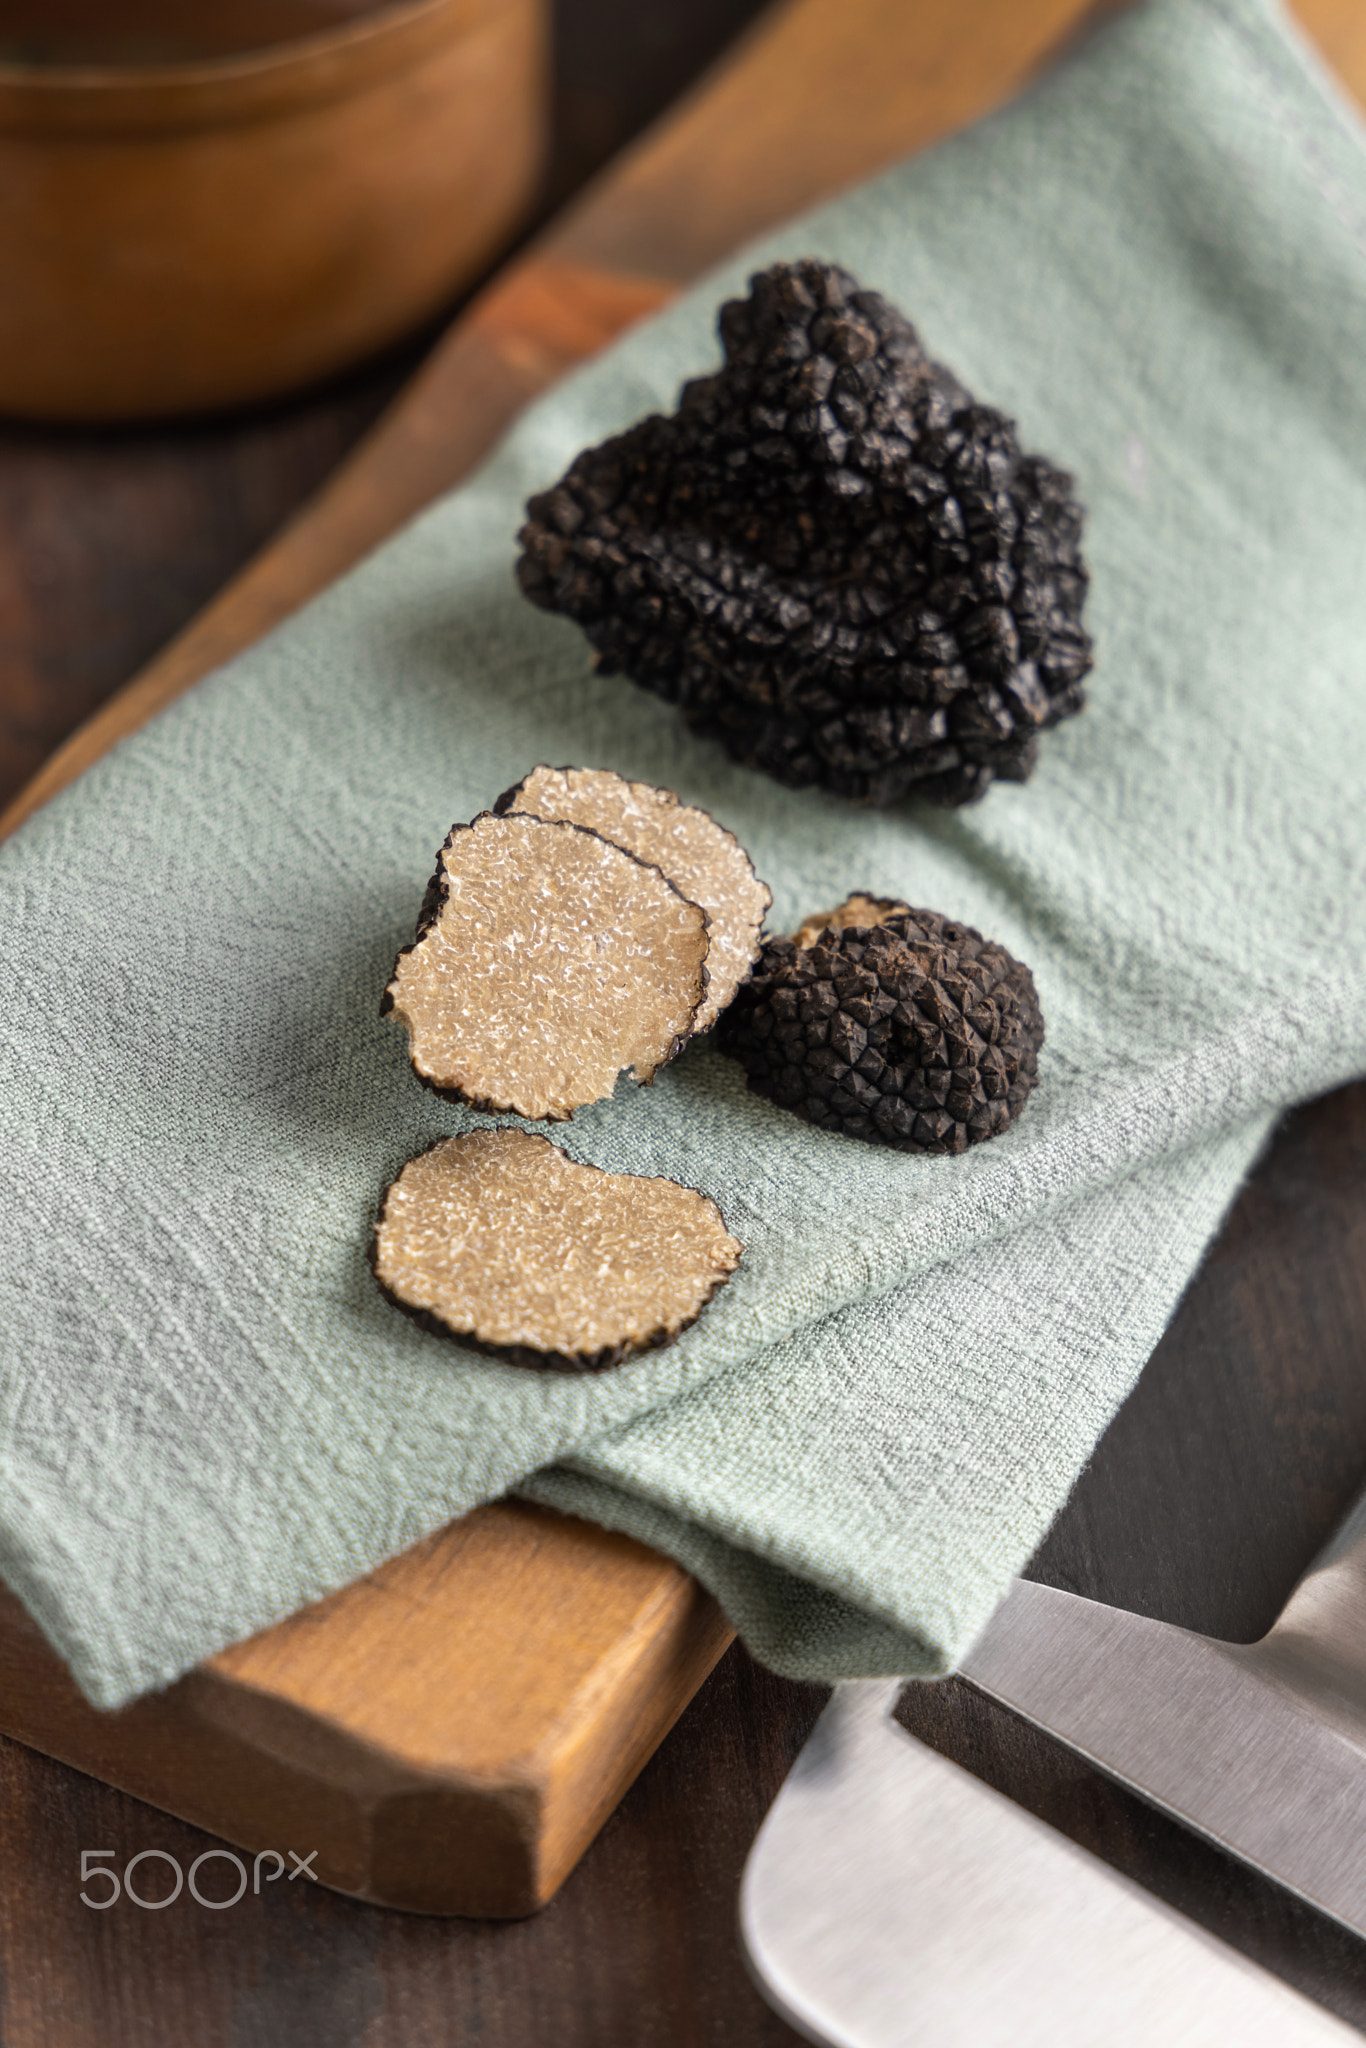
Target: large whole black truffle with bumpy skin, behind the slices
(830, 558)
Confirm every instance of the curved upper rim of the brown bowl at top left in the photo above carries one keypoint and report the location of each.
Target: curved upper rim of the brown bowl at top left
(251, 83)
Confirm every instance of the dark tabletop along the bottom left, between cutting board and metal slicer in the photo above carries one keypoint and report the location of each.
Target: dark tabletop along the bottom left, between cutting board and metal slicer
(638, 1951)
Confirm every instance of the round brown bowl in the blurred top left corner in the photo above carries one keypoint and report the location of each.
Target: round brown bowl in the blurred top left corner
(212, 202)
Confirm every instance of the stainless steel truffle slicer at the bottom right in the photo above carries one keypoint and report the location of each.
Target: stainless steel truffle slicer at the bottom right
(892, 1897)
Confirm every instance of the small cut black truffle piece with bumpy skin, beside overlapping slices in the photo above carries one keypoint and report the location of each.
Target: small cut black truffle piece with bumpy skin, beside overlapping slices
(904, 1029)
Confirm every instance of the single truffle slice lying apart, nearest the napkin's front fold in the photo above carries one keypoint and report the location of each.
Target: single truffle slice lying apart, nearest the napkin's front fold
(505, 1244)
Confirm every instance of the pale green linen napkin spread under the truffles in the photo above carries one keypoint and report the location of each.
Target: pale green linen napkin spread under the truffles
(210, 1416)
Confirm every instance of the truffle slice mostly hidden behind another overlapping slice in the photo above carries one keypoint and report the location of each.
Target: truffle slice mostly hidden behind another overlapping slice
(701, 859)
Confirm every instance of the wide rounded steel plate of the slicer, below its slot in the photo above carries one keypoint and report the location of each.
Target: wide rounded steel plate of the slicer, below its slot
(892, 1900)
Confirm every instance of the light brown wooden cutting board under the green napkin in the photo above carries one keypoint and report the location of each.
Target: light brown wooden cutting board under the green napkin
(450, 1734)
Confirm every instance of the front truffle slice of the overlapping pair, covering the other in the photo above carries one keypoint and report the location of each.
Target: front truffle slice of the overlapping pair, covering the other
(548, 962)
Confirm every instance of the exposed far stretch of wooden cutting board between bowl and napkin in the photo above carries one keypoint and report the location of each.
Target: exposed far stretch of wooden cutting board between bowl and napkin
(820, 95)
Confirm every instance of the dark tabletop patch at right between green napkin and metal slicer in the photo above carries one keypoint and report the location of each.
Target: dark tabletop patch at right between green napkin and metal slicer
(1246, 1437)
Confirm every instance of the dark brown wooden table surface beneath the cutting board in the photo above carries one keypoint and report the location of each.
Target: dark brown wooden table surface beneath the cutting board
(1207, 1498)
